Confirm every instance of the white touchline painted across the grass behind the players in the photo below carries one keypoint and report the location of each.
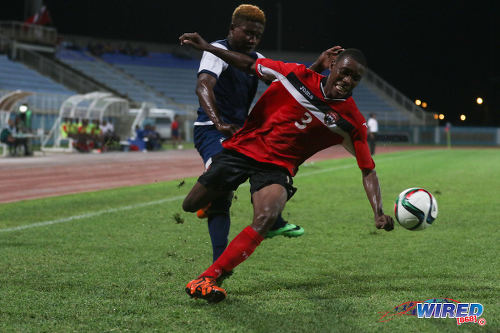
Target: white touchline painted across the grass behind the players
(157, 202)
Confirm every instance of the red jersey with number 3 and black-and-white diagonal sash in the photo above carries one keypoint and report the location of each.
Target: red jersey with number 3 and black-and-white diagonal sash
(293, 120)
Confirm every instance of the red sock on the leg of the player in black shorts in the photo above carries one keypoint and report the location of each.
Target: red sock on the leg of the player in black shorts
(240, 248)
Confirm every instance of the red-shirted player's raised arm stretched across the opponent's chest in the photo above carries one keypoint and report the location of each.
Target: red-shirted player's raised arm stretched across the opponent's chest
(241, 61)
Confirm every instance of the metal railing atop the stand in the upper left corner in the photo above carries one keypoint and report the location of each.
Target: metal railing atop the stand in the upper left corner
(29, 33)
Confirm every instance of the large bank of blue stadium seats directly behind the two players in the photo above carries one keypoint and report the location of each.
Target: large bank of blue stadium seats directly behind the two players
(175, 77)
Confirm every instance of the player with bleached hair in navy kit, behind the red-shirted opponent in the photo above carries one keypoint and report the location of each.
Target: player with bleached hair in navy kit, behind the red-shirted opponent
(225, 94)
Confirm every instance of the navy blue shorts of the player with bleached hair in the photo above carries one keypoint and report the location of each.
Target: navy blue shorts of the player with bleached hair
(208, 141)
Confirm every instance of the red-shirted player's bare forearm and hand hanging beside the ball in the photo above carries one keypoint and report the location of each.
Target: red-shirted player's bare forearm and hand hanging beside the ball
(372, 188)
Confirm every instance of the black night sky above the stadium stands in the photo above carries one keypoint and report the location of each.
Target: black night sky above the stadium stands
(445, 52)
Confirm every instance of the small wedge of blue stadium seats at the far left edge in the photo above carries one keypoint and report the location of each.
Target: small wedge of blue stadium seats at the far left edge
(15, 75)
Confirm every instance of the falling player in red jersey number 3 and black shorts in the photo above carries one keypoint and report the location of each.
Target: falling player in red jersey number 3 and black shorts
(301, 113)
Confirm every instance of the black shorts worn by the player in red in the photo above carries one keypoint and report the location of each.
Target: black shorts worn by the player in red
(230, 169)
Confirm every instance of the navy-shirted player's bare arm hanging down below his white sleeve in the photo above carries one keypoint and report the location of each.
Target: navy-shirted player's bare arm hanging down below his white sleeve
(205, 92)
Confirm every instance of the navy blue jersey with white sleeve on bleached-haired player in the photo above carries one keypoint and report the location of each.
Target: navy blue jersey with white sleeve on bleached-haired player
(234, 90)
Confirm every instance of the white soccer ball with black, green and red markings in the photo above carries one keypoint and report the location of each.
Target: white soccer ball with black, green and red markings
(415, 208)
